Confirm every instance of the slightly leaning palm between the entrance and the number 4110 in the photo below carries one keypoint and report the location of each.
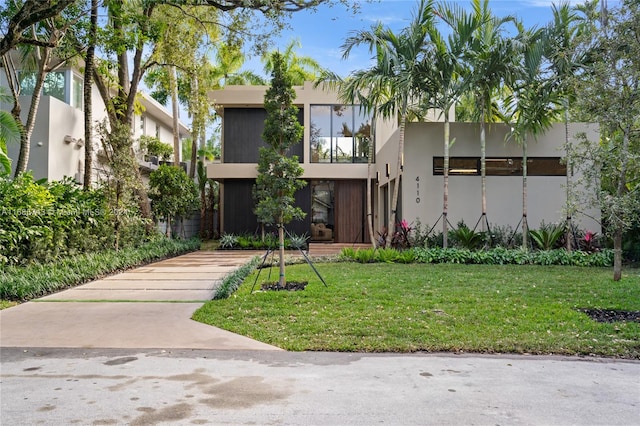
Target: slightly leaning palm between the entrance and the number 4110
(392, 86)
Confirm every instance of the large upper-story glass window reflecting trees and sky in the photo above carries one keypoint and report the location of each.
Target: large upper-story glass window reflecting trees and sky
(339, 134)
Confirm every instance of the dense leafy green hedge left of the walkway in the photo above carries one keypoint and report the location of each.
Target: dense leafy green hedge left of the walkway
(42, 221)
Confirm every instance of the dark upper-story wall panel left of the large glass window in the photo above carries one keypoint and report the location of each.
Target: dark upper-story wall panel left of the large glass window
(243, 129)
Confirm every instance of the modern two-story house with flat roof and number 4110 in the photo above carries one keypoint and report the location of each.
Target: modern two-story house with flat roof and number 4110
(334, 155)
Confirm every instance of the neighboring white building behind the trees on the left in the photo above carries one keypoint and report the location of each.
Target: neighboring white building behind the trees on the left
(57, 142)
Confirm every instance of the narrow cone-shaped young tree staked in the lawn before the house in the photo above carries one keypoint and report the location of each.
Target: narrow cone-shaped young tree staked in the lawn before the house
(278, 173)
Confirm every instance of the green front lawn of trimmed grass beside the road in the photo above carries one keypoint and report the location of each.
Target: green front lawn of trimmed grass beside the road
(444, 307)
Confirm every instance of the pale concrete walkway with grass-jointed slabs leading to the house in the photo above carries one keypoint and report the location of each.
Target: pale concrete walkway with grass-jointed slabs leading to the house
(147, 307)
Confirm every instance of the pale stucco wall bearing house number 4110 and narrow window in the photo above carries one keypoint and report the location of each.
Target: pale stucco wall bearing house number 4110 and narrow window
(422, 191)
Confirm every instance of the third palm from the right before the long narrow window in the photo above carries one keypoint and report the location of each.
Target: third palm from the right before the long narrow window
(490, 57)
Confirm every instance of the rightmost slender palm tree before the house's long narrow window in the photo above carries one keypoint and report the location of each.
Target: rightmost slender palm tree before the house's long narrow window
(565, 61)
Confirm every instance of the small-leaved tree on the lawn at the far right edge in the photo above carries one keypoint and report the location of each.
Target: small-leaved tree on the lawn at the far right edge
(609, 93)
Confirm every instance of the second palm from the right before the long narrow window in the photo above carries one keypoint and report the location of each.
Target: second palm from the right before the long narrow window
(534, 101)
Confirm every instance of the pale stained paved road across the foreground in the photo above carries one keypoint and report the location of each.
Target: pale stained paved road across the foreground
(118, 387)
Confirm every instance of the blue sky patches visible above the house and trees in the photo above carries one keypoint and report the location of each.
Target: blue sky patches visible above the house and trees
(323, 32)
